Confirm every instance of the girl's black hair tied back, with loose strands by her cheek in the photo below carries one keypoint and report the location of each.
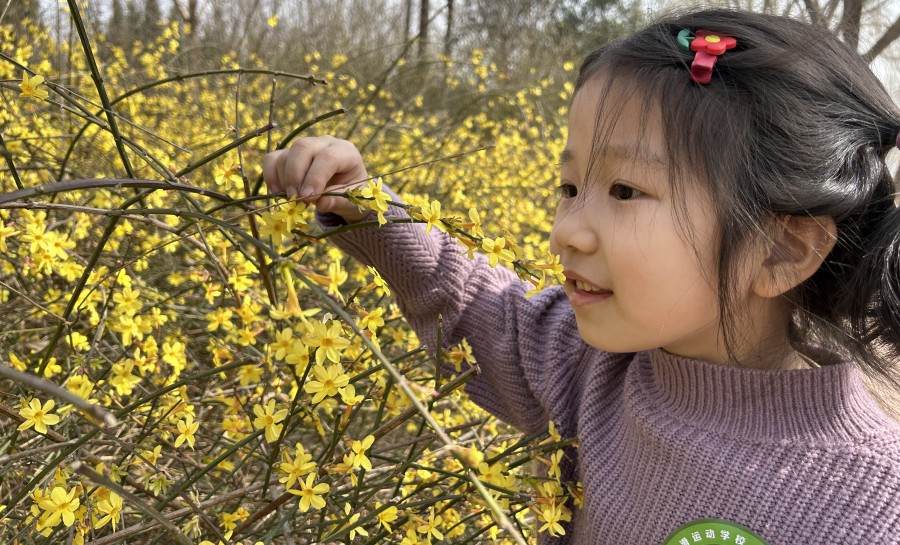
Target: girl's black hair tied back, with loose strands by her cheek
(793, 123)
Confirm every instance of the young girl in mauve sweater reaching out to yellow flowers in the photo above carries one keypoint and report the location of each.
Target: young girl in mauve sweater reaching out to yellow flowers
(732, 251)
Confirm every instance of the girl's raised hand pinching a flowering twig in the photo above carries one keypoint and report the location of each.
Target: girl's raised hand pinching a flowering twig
(314, 165)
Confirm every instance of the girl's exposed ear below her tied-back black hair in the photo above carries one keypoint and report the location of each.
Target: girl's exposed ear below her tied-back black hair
(795, 249)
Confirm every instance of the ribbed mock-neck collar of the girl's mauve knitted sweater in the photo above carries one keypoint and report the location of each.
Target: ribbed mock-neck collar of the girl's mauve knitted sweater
(828, 404)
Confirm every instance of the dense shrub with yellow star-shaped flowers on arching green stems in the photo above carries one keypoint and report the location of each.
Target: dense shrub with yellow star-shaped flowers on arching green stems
(187, 360)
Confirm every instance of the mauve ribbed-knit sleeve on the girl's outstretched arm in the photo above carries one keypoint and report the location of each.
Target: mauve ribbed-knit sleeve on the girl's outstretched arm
(528, 350)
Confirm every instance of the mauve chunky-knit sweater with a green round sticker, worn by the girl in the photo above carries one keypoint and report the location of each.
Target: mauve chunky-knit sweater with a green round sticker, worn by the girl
(794, 457)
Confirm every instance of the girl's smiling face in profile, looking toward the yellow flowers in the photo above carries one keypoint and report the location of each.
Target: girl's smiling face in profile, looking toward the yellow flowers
(634, 280)
